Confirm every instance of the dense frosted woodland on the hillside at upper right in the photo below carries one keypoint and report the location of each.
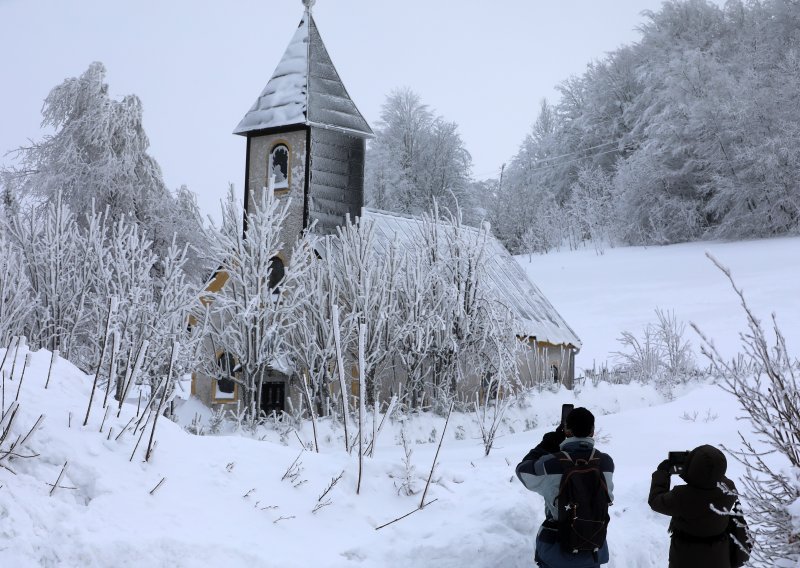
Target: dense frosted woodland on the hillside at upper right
(693, 126)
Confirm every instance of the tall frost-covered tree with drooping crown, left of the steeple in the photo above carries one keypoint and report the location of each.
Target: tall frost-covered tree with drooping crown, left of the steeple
(97, 159)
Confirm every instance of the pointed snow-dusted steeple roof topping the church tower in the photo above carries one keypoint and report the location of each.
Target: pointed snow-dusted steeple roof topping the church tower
(305, 89)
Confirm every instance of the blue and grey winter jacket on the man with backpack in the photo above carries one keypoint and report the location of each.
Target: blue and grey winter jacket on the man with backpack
(540, 471)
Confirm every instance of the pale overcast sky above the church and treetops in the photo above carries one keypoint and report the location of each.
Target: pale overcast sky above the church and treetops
(199, 65)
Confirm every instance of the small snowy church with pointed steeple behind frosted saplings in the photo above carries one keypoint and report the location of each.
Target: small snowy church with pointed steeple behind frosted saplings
(306, 132)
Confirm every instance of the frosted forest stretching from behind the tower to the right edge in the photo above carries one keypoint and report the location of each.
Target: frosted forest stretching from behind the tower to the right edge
(690, 133)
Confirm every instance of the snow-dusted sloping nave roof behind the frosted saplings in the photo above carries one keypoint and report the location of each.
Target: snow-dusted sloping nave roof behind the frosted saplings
(537, 316)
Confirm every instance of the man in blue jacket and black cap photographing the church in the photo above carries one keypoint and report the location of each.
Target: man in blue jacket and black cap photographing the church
(541, 471)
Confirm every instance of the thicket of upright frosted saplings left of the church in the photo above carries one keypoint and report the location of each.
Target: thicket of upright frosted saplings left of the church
(73, 270)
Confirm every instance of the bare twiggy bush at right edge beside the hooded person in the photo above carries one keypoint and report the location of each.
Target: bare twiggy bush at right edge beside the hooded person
(766, 381)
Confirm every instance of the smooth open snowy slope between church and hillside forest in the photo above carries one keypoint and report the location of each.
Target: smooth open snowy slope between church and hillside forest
(601, 295)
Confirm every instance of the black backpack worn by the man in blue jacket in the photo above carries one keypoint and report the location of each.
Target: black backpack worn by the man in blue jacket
(582, 504)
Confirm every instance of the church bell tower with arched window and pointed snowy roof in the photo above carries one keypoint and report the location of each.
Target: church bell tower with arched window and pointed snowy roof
(305, 130)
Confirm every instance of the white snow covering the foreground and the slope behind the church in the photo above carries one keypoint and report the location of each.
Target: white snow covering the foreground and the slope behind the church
(223, 501)
